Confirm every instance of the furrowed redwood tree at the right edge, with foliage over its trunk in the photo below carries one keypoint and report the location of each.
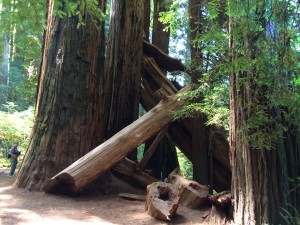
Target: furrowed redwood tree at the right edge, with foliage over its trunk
(263, 133)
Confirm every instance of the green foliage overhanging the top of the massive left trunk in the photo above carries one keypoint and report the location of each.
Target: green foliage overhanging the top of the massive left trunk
(80, 9)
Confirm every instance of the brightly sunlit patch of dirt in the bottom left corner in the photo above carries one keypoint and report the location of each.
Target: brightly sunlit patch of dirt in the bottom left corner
(17, 209)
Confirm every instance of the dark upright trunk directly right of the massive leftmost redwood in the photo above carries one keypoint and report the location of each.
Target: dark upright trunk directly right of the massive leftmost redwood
(123, 66)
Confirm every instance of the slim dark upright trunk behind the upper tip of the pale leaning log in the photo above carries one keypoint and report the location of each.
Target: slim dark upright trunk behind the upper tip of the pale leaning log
(199, 139)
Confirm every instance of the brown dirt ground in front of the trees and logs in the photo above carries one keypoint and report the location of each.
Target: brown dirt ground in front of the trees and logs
(20, 207)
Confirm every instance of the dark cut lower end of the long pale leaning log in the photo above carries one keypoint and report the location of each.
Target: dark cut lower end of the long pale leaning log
(61, 184)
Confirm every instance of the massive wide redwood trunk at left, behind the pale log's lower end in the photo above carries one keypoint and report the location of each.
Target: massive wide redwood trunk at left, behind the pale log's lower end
(67, 120)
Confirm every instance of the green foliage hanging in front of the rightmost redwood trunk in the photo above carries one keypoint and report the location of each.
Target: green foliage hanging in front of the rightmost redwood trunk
(266, 65)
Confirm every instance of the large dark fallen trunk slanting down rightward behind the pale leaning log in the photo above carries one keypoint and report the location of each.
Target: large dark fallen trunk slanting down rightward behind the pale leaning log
(154, 86)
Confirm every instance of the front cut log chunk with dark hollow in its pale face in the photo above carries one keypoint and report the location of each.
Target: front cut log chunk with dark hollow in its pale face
(162, 200)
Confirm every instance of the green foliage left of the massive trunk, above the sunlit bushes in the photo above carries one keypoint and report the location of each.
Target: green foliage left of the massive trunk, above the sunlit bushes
(24, 23)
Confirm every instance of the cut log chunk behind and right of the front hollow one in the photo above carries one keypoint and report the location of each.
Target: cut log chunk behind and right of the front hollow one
(192, 194)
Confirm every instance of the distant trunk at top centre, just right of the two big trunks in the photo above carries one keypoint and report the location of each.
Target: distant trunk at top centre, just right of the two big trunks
(160, 37)
